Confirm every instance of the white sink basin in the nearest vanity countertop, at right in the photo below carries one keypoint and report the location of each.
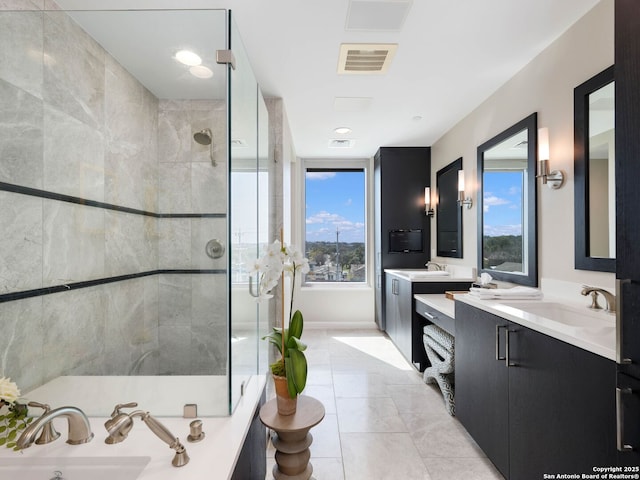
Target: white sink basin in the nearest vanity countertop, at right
(565, 315)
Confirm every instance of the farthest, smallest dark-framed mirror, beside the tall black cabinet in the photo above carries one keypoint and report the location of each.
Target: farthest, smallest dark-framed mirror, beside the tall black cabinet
(449, 212)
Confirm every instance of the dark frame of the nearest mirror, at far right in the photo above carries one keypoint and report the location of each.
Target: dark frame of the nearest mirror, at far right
(581, 173)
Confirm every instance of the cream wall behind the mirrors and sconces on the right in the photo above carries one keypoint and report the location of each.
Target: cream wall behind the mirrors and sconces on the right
(545, 86)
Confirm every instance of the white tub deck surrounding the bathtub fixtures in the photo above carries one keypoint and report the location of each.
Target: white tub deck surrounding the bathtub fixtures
(213, 457)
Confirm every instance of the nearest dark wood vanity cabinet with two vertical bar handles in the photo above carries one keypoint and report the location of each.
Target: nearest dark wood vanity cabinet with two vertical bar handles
(551, 411)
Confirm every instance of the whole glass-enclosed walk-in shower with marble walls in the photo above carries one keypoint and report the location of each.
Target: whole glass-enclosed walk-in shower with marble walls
(134, 187)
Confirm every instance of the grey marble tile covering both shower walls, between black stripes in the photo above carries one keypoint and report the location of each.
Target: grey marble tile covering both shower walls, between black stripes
(75, 122)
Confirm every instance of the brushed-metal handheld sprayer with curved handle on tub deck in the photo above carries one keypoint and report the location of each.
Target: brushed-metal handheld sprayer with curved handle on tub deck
(120, 424)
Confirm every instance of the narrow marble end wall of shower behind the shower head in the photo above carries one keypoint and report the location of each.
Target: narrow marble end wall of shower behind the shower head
(192, 318)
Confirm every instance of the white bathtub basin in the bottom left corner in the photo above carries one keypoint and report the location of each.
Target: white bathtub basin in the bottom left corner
(72, 468)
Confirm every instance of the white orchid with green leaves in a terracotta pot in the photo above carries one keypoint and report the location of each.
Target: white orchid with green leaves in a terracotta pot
(290, 370)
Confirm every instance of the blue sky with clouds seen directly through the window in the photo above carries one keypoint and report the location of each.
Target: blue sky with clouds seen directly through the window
(335, 200)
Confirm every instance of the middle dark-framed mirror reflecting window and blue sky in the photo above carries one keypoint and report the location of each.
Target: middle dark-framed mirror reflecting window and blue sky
(507, 238)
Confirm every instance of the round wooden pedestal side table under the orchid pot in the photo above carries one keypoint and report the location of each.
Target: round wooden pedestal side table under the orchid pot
(291, 437)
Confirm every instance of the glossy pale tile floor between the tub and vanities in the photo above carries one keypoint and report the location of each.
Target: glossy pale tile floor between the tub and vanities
(382, 421)
